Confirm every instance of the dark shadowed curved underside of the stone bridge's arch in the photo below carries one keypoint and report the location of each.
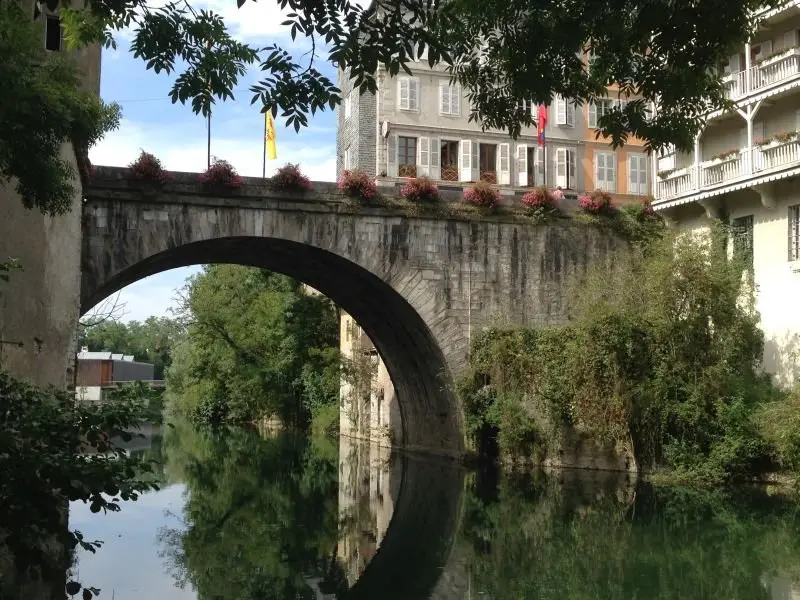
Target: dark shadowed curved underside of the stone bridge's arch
(431, 417)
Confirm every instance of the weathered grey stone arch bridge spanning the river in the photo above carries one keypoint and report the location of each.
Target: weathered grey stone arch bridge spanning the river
(418, 285)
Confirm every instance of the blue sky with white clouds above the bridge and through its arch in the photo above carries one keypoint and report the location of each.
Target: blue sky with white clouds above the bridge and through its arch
(177, 136)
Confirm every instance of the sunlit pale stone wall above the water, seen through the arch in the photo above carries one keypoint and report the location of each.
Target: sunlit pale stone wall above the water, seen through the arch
(369, 406)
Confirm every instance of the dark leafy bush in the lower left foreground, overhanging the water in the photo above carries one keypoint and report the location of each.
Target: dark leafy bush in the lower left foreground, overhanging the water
(52, 452)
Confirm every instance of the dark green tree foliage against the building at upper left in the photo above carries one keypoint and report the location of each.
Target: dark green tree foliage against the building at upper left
(41, 109)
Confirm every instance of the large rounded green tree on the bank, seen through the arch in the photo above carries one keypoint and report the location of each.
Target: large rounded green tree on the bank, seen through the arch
(257, 345)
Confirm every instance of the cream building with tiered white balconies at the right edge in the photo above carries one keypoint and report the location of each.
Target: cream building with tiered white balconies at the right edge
(744, 170)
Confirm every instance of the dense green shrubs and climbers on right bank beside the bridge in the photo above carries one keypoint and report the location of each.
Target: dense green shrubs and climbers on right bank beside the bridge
(661, 357)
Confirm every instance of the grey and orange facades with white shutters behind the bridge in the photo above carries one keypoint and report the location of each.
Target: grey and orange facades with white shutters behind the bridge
(418, 124)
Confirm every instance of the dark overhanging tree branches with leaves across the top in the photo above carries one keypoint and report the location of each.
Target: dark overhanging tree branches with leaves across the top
(502, 53)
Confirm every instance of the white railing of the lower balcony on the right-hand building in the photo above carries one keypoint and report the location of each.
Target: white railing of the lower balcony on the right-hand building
(734, 168)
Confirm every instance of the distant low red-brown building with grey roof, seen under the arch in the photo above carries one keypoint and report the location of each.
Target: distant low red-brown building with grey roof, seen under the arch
(98, 372)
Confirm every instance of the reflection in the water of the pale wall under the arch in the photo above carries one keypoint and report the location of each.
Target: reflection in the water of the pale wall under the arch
(368, 490)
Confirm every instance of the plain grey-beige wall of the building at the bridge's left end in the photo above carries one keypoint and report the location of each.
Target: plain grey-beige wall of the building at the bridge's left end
(36, 332)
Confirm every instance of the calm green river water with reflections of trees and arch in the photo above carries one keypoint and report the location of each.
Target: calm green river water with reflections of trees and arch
(243, 516)
